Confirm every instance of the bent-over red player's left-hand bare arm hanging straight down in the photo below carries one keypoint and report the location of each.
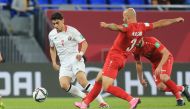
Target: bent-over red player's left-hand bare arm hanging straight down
(140, 73)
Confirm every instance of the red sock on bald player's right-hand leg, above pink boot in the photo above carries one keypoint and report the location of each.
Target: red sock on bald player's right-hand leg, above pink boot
(118, 92)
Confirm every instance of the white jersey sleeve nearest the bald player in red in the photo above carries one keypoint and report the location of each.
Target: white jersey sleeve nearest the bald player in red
(78, 36)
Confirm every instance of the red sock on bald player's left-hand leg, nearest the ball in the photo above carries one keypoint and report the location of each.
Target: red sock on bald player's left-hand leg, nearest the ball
(93, 93)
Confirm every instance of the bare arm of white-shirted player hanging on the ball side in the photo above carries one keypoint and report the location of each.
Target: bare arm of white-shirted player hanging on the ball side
(53, 55)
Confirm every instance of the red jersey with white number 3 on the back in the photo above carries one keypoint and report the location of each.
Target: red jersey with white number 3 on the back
(126, 40)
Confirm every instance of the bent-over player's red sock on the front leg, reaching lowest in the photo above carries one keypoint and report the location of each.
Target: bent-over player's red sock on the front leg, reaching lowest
(172, 85)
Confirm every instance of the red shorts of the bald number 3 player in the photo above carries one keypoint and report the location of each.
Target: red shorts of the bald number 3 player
(114, 62)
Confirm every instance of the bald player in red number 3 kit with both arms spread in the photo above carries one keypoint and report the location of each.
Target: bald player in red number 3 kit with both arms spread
(129, 35)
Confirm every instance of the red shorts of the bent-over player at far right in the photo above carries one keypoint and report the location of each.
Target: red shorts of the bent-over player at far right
(166, 69)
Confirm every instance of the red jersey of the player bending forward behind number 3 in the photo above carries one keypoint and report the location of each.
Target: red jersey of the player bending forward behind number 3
(151, 49)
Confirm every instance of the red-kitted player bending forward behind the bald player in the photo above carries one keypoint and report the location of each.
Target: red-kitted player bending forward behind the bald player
(162, 61)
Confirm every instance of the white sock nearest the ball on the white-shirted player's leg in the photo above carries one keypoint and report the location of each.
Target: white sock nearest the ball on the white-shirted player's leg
(75, 91)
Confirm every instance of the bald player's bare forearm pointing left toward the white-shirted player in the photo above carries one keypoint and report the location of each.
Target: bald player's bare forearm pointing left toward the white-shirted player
(112, 26)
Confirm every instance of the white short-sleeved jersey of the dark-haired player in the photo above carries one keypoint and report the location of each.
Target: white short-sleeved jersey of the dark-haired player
(66, 44)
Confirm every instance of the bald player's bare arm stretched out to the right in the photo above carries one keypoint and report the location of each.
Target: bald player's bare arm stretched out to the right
(167, 22)
